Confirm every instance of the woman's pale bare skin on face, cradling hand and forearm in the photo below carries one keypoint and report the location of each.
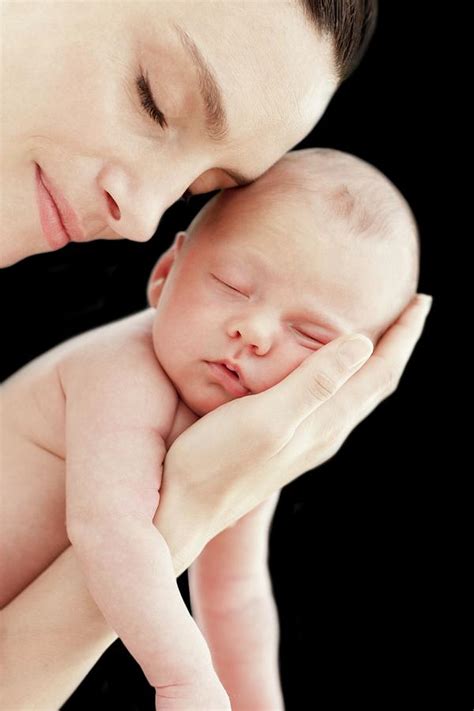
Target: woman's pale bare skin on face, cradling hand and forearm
(96, 145)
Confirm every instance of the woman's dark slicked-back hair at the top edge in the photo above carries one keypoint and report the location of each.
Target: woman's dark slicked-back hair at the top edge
(351, 24)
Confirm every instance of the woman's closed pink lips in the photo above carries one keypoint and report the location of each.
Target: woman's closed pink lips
(58, 220)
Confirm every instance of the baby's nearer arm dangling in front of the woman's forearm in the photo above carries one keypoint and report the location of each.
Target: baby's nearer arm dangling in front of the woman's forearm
(115, 451)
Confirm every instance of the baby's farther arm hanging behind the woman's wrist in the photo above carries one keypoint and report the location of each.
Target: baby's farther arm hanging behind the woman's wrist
(232, 601)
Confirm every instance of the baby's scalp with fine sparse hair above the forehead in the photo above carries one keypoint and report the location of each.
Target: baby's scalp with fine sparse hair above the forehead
(346, 189)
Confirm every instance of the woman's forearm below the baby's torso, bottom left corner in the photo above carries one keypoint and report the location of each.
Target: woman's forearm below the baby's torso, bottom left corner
(52, 635)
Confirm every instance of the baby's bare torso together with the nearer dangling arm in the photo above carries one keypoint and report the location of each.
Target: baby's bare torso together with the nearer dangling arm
(120, 492)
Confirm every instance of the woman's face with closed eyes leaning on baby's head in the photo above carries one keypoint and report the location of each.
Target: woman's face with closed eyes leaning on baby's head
(236, 85)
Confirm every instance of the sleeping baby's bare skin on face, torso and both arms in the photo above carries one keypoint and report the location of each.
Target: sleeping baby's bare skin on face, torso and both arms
(116, 428)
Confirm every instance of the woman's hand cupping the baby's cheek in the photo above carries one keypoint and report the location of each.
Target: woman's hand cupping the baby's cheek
(237, 455)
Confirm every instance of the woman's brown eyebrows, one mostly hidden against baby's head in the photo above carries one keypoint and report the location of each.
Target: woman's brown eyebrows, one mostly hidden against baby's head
(211, 93)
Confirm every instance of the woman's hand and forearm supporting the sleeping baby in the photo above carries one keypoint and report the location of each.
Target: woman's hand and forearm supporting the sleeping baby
(71, 636)
